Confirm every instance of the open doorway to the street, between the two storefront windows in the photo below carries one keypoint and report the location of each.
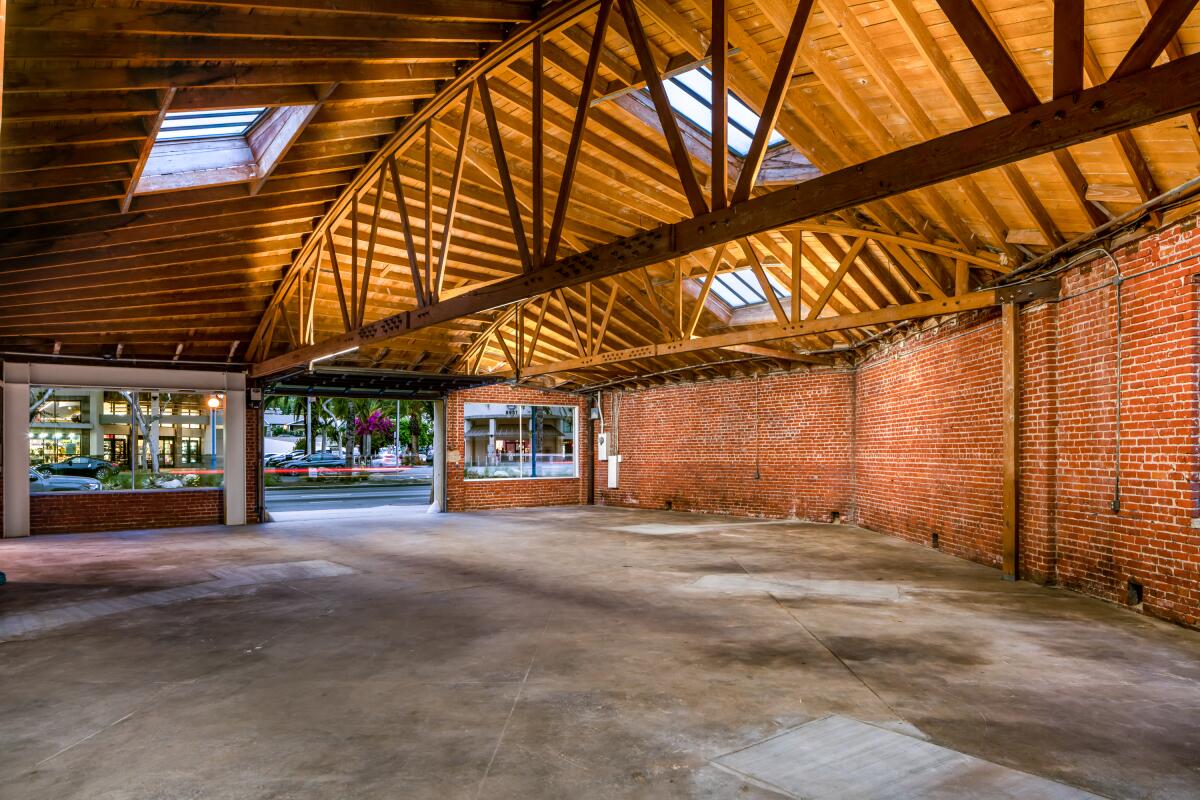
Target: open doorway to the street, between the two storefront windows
(325, 454)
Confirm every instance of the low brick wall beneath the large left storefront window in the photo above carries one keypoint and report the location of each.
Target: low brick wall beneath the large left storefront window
(73, 513)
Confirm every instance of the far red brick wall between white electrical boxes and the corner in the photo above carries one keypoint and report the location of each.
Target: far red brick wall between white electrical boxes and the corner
(777, 447)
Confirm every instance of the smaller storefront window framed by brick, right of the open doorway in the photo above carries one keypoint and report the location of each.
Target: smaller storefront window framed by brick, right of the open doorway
(505, 441)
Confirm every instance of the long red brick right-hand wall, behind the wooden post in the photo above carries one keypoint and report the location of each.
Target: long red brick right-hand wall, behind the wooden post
(937, 400)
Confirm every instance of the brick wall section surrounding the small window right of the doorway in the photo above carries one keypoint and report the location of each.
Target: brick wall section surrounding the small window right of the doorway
(475, 496)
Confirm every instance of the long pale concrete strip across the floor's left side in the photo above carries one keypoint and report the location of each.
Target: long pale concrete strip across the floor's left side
(227, 581)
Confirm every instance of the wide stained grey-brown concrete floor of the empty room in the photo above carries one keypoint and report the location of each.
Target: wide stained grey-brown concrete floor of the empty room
(556, 653)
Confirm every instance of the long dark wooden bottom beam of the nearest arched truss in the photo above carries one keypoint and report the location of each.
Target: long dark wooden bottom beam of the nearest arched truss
(1102, 111)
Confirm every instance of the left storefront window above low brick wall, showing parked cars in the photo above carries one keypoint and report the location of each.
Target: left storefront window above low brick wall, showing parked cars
(71, 450)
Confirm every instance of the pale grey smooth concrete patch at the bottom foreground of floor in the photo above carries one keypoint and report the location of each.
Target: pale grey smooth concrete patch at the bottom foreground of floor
(837, 757)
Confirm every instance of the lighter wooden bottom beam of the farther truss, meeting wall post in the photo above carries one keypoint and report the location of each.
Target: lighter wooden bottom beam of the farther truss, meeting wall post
(758, 334)
